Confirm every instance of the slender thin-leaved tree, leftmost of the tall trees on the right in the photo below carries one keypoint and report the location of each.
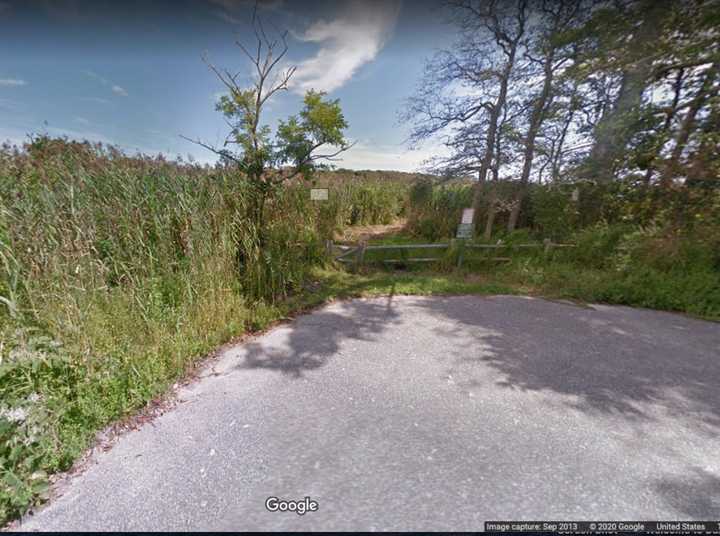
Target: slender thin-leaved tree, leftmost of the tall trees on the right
(481, 64)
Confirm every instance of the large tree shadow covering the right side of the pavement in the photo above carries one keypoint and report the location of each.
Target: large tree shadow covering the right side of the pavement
(612, 360)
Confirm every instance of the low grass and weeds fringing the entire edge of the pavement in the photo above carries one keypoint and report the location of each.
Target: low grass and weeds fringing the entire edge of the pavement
(134, 371)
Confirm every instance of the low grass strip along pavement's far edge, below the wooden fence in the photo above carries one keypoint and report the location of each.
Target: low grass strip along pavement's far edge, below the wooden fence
(554, 280)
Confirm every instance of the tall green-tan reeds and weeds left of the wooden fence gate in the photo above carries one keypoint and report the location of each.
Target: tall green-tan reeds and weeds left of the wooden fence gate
(117, 272)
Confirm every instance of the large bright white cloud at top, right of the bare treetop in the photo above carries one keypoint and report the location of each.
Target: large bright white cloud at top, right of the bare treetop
(347, 43)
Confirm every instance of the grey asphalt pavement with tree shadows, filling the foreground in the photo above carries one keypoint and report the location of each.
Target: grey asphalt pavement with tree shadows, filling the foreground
(412, 413)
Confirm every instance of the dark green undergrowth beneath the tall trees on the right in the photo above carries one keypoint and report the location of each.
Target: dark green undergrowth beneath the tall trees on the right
(648, 246)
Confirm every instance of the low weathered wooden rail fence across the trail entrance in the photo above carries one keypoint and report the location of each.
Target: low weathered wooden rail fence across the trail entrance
(355, 254)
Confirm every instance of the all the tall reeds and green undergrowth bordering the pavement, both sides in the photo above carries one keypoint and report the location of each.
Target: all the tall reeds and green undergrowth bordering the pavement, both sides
(118, 272)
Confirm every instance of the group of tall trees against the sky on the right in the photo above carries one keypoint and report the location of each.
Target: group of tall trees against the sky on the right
(534, 91)
